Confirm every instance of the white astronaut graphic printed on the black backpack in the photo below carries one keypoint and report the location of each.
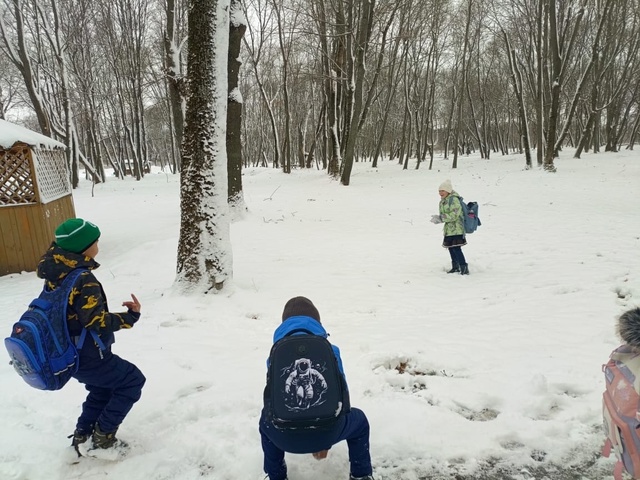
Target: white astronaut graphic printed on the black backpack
(300, 386)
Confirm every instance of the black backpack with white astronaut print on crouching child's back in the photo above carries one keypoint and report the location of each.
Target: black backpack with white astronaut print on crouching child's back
(305, 388)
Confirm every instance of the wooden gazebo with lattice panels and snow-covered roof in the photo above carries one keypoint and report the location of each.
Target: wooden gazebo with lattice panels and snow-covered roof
(35, 195)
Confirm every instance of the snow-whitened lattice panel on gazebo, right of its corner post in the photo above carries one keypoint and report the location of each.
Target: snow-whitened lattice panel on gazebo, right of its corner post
(52, 174)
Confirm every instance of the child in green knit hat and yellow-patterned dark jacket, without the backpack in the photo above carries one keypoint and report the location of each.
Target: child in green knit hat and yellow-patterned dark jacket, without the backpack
(113, 383)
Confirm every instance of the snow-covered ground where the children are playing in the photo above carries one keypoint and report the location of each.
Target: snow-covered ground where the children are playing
(492, 375)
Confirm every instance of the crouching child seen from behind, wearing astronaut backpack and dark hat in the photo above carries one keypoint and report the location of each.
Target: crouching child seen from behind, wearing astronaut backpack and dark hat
(306, 400)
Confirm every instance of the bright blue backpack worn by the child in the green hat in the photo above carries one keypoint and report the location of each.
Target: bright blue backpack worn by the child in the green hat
(41, 350)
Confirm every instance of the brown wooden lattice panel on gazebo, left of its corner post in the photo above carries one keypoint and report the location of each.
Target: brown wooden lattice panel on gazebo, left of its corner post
(16, 179)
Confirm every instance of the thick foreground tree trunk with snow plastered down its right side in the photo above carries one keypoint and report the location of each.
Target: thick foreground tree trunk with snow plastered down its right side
(204, 248)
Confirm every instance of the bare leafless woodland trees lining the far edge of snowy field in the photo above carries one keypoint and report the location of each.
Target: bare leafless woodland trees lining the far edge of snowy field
(326, 83)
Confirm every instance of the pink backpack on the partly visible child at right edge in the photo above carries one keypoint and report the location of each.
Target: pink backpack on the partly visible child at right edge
(621, 410)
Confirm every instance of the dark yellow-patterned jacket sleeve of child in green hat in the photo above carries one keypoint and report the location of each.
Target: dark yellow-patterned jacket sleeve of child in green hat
(90, 305)
